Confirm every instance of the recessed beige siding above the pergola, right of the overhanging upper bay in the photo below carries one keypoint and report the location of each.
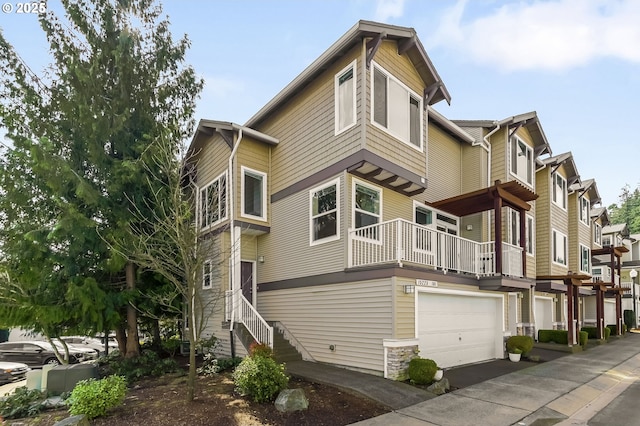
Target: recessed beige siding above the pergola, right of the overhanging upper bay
(445, 166)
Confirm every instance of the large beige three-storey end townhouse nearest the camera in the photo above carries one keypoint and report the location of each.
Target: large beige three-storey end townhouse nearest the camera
(359, 222)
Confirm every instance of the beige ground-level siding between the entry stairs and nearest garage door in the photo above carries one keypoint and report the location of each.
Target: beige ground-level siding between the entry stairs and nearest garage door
(354, 317)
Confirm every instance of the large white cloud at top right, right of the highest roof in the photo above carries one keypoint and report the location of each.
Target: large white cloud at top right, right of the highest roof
(552, 35)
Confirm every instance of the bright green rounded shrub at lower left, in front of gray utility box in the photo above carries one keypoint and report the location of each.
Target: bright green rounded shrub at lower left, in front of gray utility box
(94, 398)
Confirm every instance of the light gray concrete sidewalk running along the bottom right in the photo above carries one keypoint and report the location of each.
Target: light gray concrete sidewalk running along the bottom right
(566, 391)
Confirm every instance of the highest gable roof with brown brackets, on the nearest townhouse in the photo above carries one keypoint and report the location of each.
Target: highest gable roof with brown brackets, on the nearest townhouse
(408, 43)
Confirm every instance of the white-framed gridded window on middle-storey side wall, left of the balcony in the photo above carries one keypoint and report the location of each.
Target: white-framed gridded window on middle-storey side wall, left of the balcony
(324, 208)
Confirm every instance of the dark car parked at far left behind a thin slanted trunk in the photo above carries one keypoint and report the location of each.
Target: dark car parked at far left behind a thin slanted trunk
(36, 353)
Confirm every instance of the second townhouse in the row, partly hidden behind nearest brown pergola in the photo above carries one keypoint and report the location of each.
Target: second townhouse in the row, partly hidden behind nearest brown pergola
(515, 144)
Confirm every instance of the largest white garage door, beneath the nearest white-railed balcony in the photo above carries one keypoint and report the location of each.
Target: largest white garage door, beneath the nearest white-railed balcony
(458, 329)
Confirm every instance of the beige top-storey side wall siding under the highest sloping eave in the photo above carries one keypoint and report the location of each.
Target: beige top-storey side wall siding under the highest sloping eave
(305, 127)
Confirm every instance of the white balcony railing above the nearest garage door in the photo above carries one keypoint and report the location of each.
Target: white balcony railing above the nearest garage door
(402, 242)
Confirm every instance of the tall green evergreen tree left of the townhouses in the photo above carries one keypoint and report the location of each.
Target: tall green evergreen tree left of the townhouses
(75, 174)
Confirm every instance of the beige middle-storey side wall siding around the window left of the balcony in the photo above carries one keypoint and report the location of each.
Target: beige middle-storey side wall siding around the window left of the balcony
(287, 250)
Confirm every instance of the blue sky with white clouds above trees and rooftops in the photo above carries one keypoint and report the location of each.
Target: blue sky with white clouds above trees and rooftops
(575, 62)
